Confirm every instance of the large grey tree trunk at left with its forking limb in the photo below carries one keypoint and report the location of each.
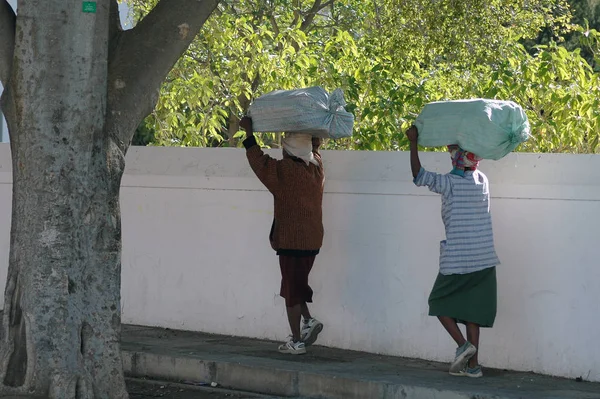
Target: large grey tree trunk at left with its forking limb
(72, 102)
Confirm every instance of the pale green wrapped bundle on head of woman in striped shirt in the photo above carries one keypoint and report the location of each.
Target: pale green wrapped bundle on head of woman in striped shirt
(488, 128)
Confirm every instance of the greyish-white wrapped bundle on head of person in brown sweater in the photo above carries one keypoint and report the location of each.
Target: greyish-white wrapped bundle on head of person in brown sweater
(311, 110)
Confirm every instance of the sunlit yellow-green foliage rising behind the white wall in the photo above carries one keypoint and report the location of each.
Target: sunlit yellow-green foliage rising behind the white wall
(391, 57)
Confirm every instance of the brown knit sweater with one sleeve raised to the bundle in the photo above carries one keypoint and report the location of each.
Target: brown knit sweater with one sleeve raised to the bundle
(297, 190)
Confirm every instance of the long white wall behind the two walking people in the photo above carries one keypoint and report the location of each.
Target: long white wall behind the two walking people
(196, 255)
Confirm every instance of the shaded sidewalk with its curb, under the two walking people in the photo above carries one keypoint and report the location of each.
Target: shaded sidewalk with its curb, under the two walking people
(256, 366)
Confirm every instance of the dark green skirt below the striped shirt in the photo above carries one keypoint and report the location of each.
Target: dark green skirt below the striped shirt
(466, 298)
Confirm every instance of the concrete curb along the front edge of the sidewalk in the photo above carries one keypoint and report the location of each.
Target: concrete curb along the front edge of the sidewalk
(278, 381)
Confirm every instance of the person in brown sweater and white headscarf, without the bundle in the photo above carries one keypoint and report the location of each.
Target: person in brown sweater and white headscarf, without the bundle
(296, 182)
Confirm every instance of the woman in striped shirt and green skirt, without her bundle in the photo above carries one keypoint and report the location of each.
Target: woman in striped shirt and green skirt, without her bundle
(465, 289)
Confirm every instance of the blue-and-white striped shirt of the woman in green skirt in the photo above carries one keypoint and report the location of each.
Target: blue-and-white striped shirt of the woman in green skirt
(469, 243)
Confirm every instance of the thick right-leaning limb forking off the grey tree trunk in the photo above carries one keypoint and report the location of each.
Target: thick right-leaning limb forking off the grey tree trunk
(143, 58)
